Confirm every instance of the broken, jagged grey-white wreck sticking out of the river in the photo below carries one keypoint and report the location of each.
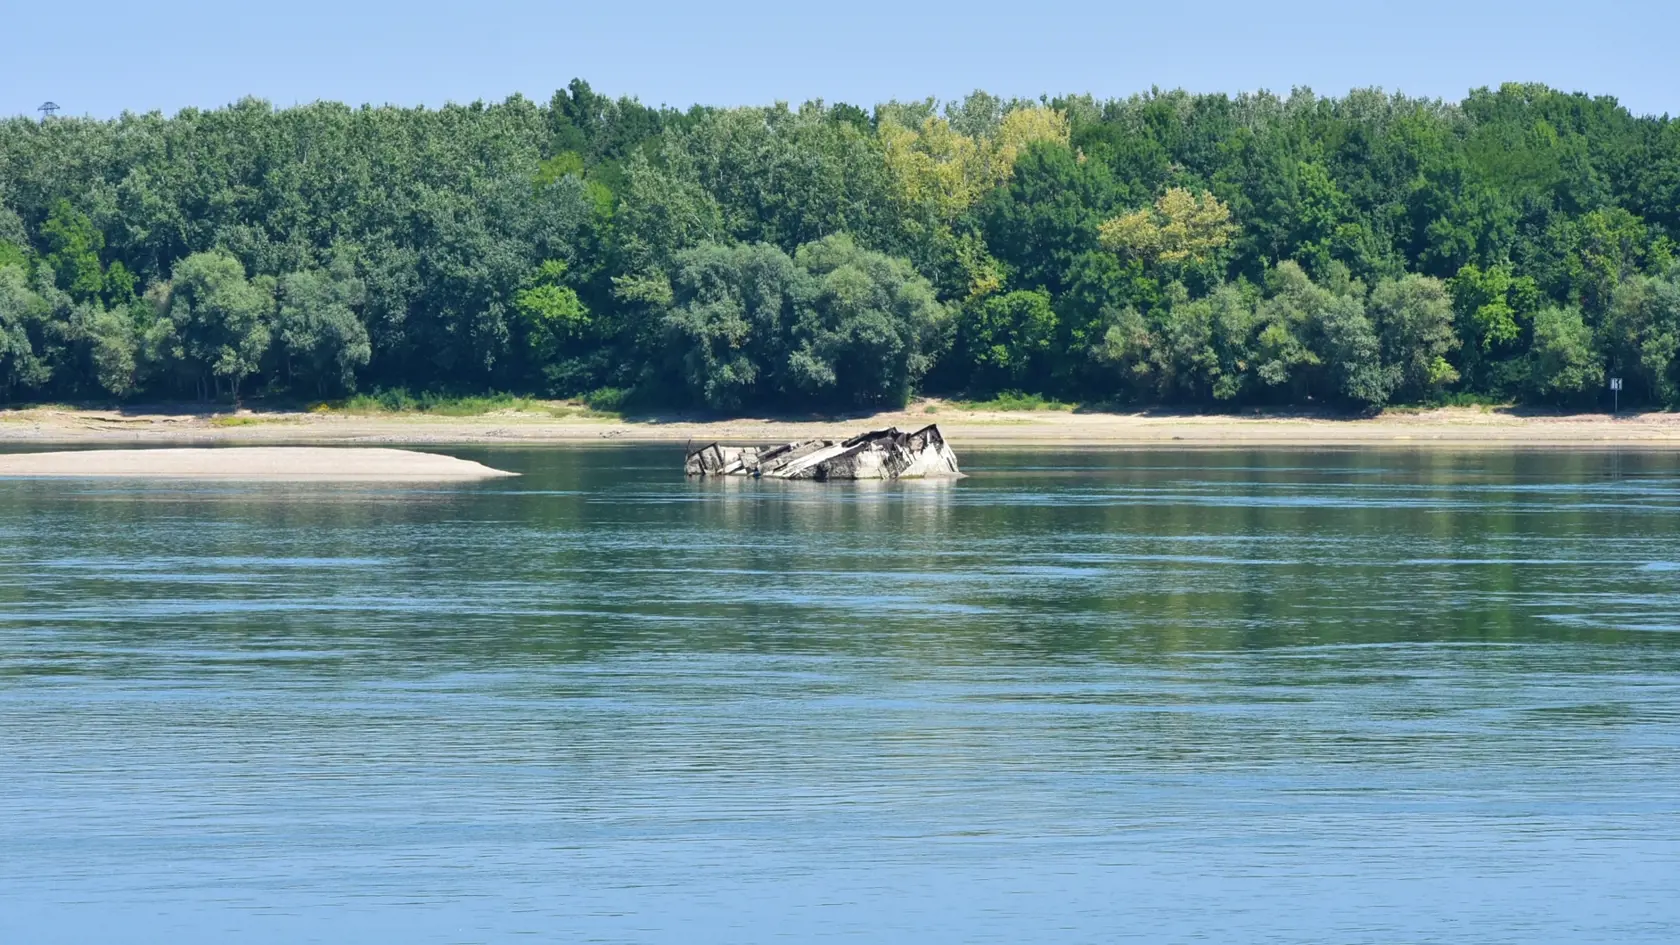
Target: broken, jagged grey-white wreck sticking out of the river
(878, 455)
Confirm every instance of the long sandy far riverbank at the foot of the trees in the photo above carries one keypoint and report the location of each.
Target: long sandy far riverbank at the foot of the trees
(965, 426)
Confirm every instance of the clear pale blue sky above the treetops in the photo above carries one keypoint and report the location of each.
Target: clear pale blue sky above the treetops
(102, 58)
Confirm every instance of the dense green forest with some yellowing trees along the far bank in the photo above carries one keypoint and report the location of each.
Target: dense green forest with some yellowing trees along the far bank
(1158, 250)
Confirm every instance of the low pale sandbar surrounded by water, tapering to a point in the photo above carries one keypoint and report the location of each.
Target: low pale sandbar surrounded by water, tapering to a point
(280, 463)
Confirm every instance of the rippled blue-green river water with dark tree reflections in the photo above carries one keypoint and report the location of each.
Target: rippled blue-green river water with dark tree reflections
(1081, 697)
